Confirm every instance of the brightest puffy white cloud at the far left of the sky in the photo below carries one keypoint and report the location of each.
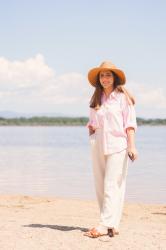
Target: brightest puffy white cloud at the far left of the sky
(22, 74)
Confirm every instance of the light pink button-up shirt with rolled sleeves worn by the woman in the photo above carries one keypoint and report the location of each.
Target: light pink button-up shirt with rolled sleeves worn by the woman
(113, 117)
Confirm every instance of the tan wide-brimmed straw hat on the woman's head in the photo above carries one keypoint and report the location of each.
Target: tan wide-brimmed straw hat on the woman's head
(93, 73)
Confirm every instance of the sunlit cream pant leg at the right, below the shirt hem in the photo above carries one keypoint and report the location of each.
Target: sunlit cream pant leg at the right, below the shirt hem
(114, 189)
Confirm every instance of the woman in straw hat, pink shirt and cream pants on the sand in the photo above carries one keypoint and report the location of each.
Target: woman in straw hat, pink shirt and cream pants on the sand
(112, 125)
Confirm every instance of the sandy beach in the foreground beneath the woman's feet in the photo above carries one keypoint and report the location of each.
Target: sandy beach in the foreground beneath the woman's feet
(48, 223)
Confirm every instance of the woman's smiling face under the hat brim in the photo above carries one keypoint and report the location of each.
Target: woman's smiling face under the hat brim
(106, 79)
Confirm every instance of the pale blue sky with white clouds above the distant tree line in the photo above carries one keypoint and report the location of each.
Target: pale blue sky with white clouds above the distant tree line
(47, 48)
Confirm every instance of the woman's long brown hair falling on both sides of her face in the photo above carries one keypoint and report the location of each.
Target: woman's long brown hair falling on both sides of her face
(95, 101)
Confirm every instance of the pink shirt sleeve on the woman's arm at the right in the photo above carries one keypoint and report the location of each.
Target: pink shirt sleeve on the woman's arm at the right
(129, 114)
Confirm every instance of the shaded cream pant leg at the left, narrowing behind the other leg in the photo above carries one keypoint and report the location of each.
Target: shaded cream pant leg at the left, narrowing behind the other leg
(98, 165)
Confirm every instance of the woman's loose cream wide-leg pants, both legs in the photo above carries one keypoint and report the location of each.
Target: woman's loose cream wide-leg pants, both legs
(110, 173)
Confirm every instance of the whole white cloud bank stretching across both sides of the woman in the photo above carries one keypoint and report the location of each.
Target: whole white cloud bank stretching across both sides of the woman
(32, 85)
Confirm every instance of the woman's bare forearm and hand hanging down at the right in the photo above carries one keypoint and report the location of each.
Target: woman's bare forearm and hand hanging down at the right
(131, 143)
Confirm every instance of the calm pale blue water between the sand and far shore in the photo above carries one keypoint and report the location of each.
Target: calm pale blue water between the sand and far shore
(55, 161)
